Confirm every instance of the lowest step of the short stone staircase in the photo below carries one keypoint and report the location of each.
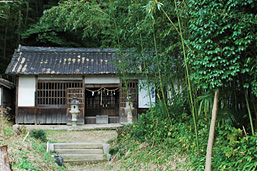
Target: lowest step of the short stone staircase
(82, 157)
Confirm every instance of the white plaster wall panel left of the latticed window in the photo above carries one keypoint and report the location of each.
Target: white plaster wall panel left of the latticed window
(26, 91)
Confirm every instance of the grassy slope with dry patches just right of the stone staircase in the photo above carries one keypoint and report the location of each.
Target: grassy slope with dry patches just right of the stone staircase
(144, 155)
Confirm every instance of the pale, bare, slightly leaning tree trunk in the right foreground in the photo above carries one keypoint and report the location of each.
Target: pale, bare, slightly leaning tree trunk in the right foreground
(211, 134)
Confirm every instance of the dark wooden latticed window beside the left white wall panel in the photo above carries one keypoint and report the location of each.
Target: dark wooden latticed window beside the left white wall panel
(53, 93)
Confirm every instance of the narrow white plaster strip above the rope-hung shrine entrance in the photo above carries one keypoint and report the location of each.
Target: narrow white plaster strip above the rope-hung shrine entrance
(102, 80)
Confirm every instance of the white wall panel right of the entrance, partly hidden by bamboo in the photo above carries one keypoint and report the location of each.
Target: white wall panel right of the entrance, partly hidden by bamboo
(143, 95)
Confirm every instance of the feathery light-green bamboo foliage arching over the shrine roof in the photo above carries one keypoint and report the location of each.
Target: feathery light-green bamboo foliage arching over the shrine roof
(123, 24)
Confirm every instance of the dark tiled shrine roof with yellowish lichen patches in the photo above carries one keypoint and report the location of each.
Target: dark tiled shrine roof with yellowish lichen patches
(55, 60)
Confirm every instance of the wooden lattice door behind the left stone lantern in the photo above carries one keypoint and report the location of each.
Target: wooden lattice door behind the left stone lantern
(79, 92)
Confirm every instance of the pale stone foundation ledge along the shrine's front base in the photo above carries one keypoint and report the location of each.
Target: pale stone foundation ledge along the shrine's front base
(77, 128)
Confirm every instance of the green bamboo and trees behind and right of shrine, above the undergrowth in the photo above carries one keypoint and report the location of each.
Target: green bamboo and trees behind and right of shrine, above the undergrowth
(189, 49)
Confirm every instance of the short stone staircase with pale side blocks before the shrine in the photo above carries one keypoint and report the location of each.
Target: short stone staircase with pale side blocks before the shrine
(79, 152)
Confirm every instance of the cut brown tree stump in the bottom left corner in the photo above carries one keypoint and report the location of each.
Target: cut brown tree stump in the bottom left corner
(4, 160)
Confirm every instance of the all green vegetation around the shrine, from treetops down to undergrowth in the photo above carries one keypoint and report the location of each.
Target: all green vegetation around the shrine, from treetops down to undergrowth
(189, 48)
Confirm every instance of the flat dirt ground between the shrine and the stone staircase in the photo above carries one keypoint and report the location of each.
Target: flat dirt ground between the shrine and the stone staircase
(81, 136)
